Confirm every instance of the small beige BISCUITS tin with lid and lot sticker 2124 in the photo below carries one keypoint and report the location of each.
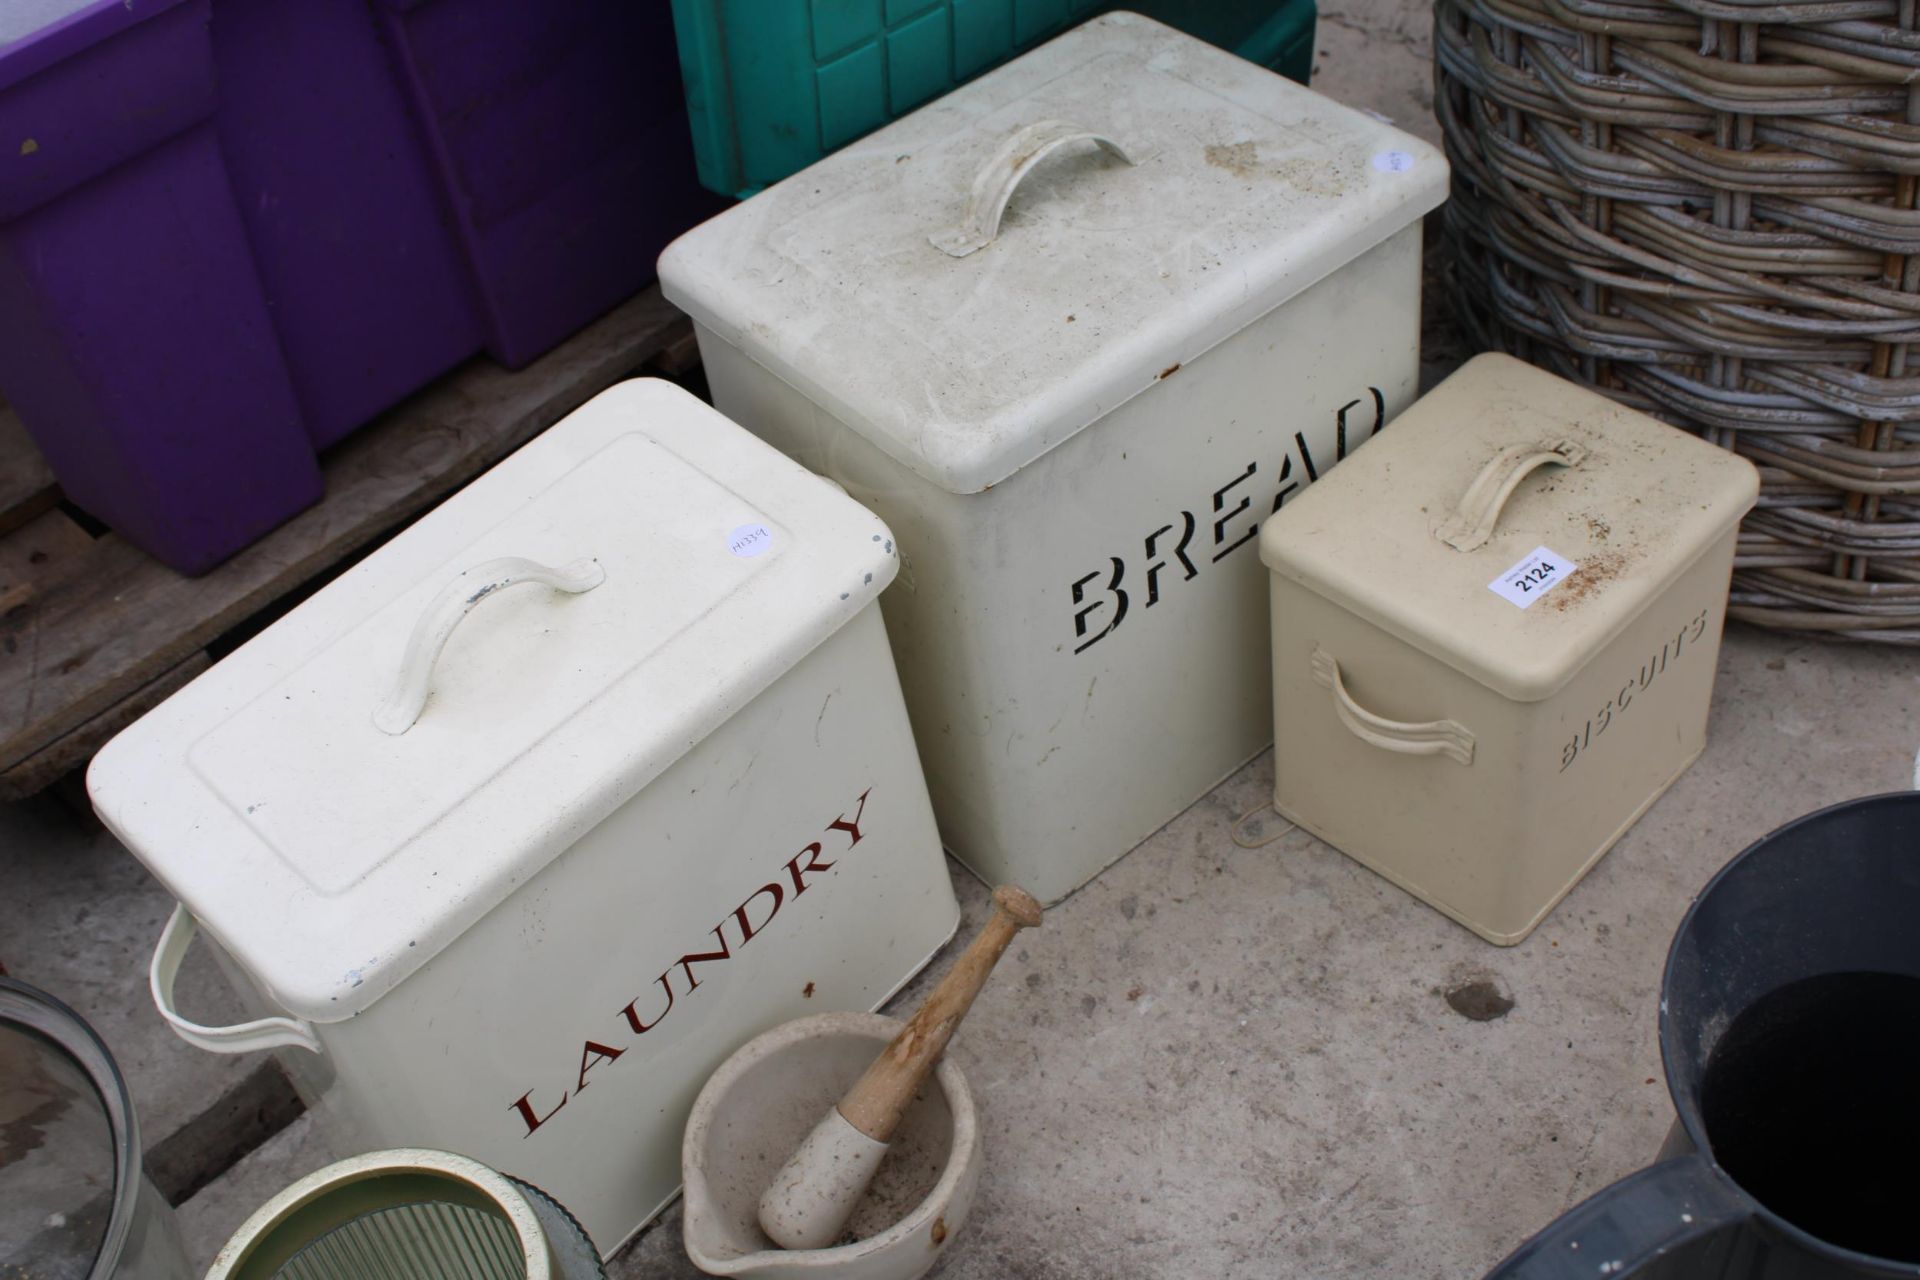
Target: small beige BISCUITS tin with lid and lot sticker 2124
(1495, 638)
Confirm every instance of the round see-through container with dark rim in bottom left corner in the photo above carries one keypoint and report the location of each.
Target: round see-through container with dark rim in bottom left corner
(76, 1202)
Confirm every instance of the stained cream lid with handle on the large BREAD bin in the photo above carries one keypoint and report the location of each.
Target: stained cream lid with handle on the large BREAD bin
(1163, 197)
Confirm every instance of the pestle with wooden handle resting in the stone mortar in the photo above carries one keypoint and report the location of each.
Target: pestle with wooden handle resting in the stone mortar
(815, 1193)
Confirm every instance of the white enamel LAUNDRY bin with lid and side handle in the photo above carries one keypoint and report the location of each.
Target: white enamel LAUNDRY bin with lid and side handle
(658, 799)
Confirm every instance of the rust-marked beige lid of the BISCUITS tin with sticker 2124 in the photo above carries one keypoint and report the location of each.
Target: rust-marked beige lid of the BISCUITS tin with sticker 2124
(1412, 536)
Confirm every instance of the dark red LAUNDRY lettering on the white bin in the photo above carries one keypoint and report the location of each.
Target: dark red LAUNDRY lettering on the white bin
(734, 932)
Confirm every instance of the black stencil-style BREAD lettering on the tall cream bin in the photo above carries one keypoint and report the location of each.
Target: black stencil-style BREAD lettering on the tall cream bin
(1178, 550)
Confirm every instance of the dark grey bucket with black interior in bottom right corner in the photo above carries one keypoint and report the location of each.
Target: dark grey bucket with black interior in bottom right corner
(1790, 1026)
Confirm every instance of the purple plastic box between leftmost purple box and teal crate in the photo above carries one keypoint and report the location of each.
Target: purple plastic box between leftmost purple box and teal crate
(481, 174)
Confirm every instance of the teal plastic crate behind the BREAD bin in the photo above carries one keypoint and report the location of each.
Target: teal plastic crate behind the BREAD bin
(775, 85)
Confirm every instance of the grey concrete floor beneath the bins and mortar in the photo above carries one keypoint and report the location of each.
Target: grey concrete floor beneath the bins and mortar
(1211, 1062)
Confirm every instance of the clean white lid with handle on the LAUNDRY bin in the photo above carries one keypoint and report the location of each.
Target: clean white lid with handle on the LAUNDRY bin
(333, 857)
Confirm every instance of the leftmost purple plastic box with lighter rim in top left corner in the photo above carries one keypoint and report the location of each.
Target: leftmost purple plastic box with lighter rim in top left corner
(135, 341)
